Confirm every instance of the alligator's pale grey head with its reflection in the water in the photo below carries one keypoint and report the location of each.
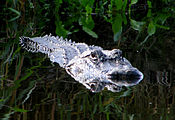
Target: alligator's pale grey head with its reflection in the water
(99, 69)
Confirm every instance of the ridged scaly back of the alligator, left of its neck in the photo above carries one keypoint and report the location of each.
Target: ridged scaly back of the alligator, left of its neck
(56, 48)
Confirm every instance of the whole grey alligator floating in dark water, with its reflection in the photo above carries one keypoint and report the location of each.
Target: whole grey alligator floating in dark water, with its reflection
(97, 69)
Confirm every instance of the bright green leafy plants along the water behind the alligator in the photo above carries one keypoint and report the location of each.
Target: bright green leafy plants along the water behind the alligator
(72, 16)
